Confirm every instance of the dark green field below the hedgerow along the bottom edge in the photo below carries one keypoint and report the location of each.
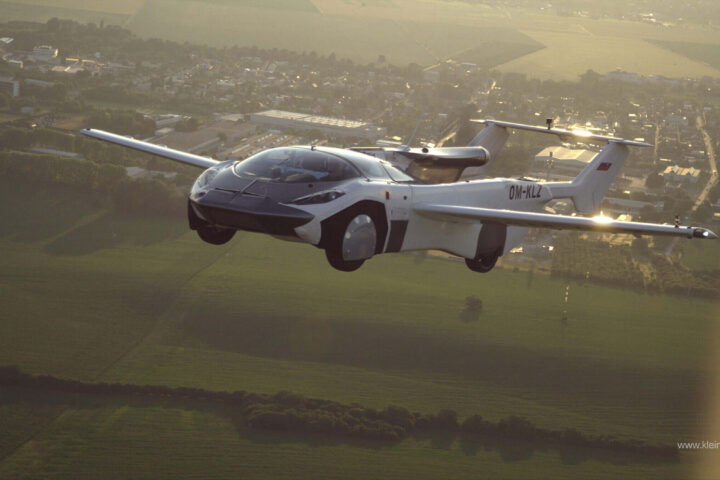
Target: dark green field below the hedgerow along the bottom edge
(106, 438)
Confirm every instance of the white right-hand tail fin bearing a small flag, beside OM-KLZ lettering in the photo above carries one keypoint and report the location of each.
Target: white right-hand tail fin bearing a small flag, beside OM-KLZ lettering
(588, 189)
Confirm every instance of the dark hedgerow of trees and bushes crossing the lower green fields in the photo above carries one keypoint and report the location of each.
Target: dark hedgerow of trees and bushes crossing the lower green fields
(289, 412)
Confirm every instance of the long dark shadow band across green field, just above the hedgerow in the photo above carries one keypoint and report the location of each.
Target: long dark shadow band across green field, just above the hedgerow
(391, 347)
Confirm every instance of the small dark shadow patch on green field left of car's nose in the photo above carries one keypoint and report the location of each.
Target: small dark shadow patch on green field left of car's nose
(112, 229)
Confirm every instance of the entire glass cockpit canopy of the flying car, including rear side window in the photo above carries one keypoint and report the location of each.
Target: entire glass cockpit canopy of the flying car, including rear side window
(303, 165)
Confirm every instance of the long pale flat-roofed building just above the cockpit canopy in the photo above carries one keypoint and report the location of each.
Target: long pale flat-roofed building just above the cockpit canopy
(280, 119)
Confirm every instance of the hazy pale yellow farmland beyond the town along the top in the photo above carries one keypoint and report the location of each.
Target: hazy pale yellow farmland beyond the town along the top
(425, 32)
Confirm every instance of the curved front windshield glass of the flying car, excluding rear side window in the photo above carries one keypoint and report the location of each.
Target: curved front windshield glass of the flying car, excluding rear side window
(294, 165)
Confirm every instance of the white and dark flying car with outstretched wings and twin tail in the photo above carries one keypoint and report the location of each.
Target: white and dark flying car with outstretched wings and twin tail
(359, 202)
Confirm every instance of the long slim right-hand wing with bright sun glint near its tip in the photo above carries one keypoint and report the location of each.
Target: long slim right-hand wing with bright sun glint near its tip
(452, 213)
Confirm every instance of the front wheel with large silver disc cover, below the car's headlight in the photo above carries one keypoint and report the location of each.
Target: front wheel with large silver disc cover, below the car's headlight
(352, 239)
